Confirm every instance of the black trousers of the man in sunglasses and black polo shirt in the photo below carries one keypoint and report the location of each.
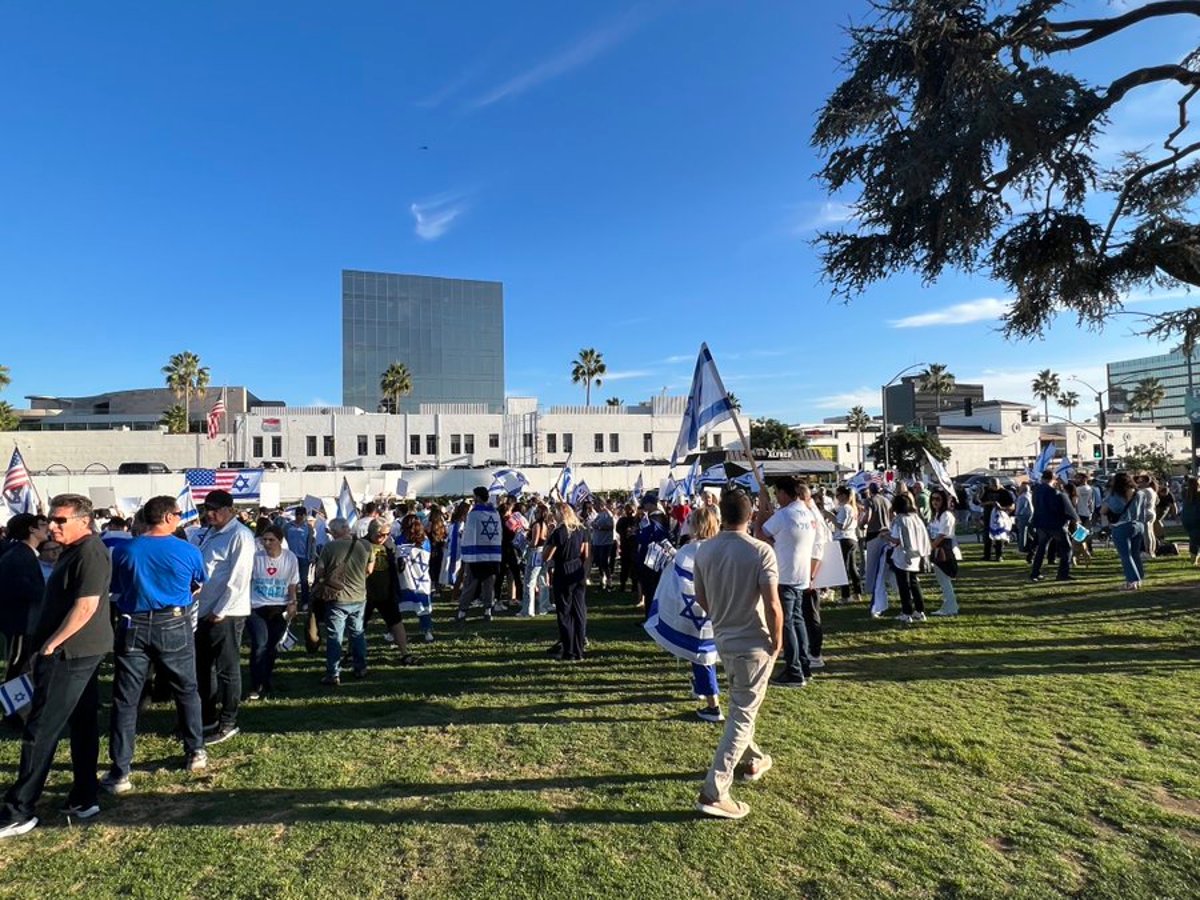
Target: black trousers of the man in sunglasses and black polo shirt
(67, 693)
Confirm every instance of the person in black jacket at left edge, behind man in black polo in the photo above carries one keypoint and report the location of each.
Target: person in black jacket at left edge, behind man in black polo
(22, 587)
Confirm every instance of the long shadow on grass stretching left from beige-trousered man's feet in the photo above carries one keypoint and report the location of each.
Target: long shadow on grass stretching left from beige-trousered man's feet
(466, 803)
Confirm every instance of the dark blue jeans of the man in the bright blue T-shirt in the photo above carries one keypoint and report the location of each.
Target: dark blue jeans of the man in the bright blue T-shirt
(164, 638)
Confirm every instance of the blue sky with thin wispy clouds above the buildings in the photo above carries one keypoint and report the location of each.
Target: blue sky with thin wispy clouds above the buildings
(638, 175)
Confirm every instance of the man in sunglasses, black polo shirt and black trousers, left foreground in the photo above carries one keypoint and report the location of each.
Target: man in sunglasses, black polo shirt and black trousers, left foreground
(74, 637)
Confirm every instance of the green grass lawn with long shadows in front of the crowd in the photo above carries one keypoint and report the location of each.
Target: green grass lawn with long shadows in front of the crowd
(1045, 743)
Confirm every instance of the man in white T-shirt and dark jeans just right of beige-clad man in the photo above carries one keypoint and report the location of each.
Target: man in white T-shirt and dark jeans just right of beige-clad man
(796, 536)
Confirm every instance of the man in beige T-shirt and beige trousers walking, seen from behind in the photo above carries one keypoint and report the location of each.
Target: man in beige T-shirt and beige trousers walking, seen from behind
(737, 585)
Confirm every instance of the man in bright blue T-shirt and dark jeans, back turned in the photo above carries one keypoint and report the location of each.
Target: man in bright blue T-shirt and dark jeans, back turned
(158, 575)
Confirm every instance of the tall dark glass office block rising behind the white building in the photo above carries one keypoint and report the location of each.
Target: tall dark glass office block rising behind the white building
(448, 332)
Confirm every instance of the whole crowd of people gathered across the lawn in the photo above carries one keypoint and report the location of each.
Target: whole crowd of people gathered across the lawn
(718, 579)
